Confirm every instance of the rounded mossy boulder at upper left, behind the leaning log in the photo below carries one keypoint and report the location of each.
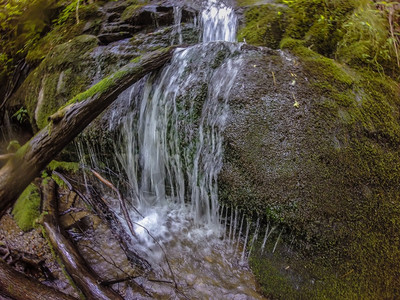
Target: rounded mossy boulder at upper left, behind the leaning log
(67, 70)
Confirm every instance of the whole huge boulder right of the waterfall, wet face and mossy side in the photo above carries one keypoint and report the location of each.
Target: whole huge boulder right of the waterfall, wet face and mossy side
(312, 146)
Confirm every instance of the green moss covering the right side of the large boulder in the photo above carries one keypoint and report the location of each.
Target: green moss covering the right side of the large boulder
(358, 259)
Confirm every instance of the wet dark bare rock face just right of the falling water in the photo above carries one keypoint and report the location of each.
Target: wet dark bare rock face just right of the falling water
(275, 146)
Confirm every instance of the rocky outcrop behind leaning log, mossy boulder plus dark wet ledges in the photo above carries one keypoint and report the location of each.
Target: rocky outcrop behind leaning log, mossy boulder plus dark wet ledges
(110, 37)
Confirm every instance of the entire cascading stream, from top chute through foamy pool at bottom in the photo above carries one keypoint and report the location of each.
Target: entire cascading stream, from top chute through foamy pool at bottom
(170, 149)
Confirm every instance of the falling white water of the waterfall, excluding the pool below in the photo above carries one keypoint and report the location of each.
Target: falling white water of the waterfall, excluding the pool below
(167, 158)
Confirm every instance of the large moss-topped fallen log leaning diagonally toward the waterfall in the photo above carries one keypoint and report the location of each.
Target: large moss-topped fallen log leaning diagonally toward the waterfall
(67, 123)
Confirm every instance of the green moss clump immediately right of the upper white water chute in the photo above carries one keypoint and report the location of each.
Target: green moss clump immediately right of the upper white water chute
(264, 25)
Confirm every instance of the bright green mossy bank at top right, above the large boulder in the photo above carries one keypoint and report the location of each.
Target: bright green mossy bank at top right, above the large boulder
(358, 33)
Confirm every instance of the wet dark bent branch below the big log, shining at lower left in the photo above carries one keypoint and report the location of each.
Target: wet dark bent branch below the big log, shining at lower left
(82, 275)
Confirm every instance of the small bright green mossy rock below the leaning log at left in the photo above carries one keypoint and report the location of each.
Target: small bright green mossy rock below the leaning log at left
(26, 208)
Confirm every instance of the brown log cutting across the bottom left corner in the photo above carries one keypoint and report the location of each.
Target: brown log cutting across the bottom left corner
(20, 287)
